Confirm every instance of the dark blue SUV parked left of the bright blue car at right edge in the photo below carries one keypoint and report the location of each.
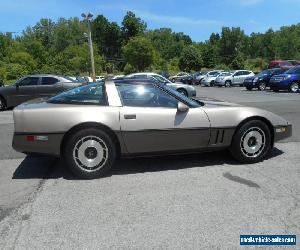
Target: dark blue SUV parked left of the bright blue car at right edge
(262, 80)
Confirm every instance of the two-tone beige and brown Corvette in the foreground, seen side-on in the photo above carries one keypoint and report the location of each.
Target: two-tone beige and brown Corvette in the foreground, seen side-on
(90, 126)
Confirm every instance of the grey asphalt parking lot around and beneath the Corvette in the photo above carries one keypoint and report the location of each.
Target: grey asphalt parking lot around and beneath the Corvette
(202, 201)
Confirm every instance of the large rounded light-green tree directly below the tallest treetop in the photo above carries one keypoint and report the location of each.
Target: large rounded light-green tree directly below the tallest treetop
(139, 52)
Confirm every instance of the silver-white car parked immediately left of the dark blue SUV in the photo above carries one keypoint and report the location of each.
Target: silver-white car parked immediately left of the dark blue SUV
(235, 78)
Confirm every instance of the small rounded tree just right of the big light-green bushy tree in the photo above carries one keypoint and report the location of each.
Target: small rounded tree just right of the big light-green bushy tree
(190, 59)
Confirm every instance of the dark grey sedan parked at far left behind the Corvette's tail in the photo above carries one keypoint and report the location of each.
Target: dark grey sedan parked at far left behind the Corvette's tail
(34, 86)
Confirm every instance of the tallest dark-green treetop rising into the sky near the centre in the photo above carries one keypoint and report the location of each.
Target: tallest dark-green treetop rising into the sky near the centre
(132, 25)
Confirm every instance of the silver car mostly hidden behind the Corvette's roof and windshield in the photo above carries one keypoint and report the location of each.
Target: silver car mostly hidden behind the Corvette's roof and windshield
(184, 89)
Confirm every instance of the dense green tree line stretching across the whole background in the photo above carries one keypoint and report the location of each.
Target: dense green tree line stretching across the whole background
(60, 47)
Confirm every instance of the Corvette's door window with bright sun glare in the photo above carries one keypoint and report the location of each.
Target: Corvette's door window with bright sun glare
(145, 95)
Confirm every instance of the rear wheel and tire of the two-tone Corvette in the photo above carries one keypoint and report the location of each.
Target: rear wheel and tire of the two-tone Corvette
(74, 156)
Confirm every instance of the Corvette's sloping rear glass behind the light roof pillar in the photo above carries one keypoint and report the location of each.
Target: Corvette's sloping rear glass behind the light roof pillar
(87, 94)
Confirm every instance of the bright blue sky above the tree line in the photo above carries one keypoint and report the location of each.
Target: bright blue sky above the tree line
(198, 19)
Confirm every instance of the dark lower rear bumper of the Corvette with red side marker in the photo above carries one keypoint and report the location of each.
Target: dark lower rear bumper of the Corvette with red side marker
(38, 143)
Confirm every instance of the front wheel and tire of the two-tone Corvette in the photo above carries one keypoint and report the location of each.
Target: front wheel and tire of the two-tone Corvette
(243, 143)
